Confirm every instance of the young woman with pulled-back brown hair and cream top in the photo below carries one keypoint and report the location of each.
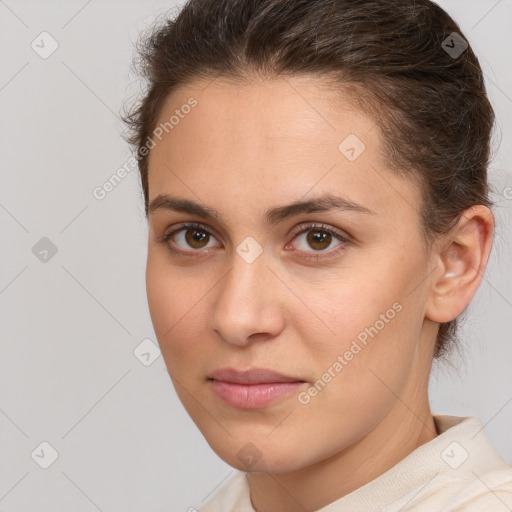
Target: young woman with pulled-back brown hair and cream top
(315, 180)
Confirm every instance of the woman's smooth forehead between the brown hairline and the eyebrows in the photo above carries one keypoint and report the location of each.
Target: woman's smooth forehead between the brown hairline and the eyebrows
(275, 140)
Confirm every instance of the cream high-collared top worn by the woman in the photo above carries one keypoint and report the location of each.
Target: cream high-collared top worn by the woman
(459, 470)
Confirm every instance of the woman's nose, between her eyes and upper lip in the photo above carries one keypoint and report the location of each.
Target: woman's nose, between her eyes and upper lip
(248, 305)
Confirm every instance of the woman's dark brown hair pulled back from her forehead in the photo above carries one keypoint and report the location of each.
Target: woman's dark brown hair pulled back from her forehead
(393, 56)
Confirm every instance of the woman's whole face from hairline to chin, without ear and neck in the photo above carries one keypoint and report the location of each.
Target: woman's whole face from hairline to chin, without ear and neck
(338, 310)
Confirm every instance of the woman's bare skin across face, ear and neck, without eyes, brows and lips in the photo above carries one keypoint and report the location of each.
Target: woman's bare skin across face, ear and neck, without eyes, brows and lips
(244, 149)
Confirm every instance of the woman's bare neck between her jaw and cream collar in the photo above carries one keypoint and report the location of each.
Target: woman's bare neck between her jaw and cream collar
(408, 425)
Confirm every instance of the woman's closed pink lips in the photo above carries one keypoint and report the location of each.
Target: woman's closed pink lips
(252, 389)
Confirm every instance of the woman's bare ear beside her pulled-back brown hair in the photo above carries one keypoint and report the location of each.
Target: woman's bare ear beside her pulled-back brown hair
(460, 257)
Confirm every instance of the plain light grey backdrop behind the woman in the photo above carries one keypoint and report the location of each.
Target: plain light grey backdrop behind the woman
(68, 374)
